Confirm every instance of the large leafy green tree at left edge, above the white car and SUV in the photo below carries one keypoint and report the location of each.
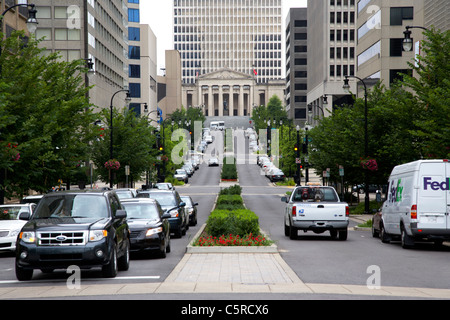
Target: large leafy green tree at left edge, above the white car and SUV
(44, 112)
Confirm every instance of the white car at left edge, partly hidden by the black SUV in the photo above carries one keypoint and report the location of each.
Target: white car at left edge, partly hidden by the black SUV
(10, 223)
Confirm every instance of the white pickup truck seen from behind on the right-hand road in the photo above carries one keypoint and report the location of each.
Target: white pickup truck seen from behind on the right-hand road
(317, 209)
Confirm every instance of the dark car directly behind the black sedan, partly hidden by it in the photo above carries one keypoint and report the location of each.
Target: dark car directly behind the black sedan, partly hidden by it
(170, 199)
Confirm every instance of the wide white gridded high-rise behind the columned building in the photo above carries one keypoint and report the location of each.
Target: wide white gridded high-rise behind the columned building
(244, 36)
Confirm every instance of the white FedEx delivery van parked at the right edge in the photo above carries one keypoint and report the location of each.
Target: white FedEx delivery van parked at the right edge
(418, 203)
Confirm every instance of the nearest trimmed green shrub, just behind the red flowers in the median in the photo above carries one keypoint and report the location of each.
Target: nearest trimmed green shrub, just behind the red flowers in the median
(237, 222)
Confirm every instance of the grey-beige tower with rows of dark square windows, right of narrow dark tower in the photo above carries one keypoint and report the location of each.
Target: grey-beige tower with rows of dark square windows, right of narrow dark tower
(331, 54)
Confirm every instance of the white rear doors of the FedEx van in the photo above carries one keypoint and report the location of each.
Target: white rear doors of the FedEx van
(432, 197)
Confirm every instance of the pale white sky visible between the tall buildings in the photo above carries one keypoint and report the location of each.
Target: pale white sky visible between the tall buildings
(158, 15)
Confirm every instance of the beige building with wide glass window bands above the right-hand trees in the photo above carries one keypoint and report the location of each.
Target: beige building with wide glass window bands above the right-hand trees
(381, 23)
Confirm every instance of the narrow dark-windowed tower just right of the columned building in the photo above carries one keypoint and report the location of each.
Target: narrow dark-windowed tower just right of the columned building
(296, 65)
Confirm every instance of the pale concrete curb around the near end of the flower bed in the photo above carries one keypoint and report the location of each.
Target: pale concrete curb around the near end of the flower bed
(237, 249)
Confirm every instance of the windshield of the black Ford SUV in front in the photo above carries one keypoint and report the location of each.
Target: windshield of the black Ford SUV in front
(72, 206)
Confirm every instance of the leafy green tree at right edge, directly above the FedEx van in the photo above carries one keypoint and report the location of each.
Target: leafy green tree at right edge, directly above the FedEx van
(430, 83)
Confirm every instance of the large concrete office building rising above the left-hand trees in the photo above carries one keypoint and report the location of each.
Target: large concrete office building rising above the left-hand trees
(94, 30)
